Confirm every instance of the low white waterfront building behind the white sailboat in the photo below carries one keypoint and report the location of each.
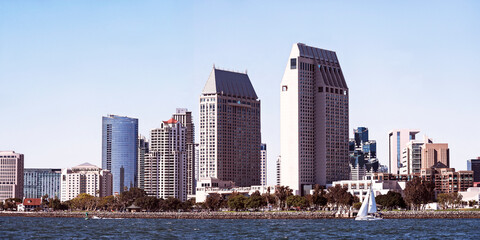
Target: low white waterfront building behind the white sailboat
(360, 188)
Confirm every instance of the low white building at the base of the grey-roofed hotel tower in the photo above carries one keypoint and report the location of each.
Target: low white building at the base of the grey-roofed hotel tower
(208, 186)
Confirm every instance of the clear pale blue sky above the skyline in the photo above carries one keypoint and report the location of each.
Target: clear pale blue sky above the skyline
(65, 64)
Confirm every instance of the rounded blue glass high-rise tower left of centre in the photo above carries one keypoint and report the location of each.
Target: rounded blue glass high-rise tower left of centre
(120, 151)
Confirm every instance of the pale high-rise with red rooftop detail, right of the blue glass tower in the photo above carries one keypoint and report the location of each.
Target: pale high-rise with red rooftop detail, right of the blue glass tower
(165, 164)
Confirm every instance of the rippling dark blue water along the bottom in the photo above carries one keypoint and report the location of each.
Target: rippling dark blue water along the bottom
(78, 228)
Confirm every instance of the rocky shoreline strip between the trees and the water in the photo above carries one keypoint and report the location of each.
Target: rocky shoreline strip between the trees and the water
(246, 215)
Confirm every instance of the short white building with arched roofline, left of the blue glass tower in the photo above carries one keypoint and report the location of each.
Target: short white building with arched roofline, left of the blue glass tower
(85, 178)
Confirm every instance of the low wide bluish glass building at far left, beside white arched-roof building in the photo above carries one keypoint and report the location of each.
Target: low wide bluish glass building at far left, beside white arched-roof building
(41, 181)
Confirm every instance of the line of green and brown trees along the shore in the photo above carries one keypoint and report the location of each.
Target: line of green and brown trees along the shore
(321, 203)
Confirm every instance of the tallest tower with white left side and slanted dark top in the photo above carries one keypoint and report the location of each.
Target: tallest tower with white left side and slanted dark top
(313, 119)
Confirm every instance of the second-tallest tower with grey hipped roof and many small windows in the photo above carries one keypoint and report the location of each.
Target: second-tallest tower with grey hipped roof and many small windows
(230, 129)
